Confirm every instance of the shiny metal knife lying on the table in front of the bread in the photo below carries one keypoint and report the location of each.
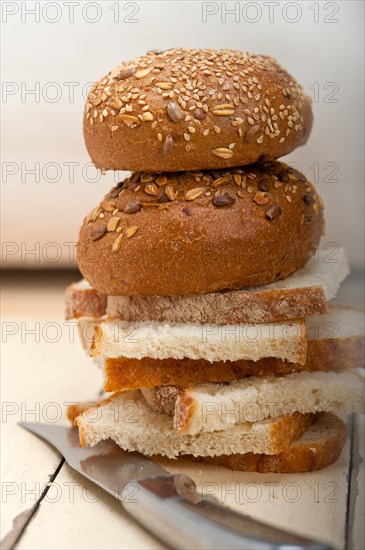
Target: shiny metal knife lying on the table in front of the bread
(168, 506)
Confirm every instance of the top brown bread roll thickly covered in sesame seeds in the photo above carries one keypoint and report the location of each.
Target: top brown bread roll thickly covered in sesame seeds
(194, 109)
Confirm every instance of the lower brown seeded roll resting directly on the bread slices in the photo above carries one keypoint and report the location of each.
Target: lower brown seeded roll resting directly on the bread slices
(199, 232)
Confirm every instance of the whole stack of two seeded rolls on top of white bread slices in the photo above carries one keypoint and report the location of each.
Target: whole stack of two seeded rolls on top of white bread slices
(206, 298)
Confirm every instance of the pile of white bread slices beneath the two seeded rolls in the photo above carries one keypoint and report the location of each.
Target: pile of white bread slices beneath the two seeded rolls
(264, 403)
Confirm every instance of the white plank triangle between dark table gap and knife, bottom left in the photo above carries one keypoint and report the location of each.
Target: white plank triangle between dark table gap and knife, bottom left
(76, 515)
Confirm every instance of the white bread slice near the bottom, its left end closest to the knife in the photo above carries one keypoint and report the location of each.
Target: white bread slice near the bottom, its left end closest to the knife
(133, 425)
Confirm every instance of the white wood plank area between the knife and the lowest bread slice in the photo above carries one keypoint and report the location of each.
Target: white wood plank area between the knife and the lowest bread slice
(312, 504)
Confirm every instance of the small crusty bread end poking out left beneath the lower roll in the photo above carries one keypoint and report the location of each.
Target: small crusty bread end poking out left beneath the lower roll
(81, 300)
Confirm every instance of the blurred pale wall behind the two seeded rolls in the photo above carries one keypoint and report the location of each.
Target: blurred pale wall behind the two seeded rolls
(51, 54)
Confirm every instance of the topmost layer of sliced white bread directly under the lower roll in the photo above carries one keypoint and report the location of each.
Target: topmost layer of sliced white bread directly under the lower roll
(304, 293)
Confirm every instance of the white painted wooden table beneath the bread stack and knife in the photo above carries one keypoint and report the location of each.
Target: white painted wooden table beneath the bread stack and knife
(46, 505)
